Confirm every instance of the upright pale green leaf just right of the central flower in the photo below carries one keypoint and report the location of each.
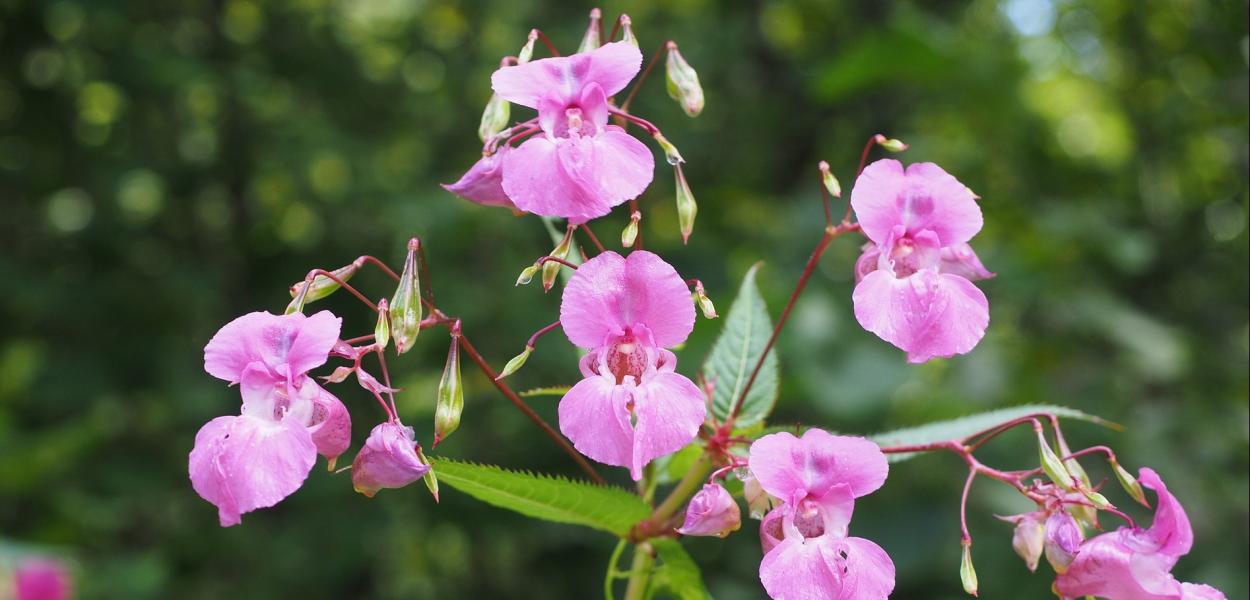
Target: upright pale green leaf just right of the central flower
(746, 333)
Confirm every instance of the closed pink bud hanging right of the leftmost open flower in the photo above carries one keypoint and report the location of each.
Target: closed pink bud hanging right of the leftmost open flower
(388, 461)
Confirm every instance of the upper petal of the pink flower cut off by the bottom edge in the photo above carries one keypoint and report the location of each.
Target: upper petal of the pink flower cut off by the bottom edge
(796, 468)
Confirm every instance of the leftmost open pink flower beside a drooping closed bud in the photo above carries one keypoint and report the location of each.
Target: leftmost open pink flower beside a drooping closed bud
(256, 459)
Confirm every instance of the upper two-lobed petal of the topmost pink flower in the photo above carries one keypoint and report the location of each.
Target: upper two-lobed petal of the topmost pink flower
(612, 67)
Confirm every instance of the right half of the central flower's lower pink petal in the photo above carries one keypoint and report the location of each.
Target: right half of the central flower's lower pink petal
(669, 411)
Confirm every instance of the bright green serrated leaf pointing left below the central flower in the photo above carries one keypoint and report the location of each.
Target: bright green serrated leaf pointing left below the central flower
(543, 497)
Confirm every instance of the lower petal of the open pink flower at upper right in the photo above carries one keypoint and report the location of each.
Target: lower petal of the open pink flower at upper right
(926, 314)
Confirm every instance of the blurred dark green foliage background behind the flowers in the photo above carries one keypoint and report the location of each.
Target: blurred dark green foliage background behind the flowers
(169, 166)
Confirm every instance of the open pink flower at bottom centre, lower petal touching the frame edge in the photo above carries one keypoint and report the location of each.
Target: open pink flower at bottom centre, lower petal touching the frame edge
(808, 552)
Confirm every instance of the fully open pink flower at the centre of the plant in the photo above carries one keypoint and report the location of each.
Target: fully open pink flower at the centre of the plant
(632, 407)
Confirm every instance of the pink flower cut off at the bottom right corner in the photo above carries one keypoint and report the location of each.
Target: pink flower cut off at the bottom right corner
(1136, 564)
